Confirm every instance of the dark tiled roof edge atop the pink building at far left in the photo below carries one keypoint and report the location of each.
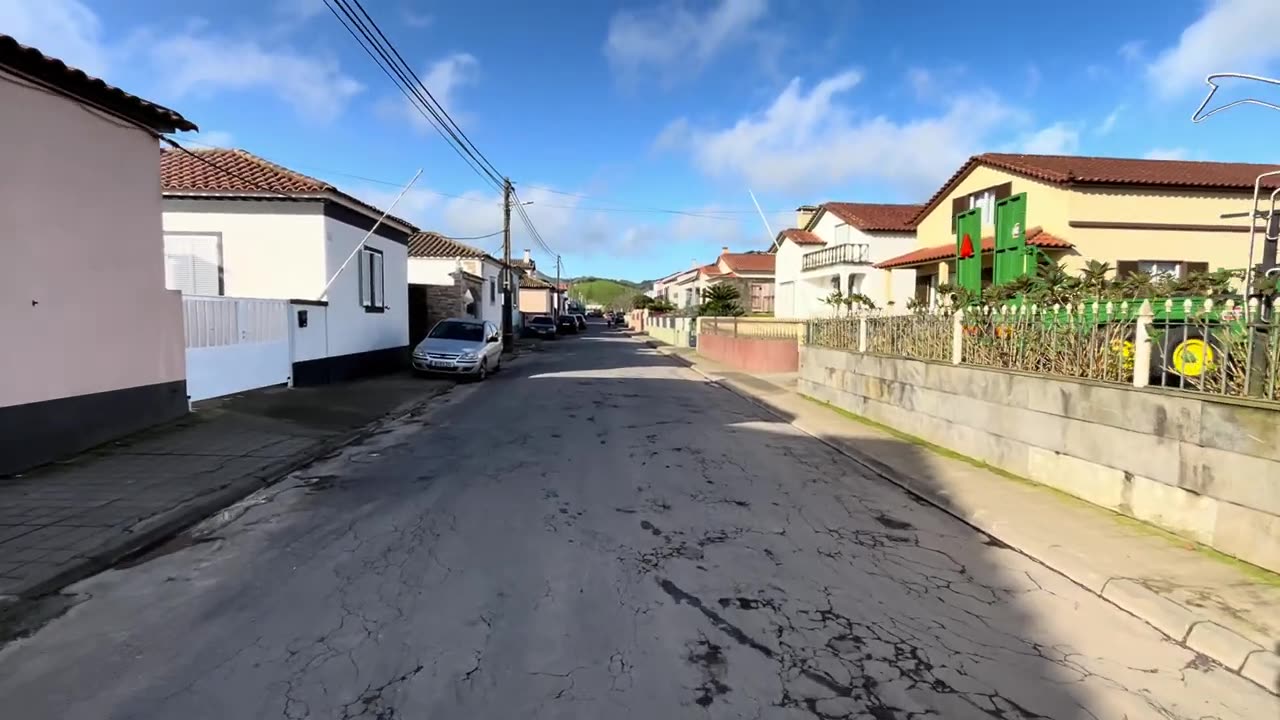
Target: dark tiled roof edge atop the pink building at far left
(75, 83)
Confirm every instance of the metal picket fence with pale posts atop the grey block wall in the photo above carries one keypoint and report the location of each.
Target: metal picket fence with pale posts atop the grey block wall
(1187, 345)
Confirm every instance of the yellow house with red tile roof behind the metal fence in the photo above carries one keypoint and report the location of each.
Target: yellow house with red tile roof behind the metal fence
(1137, 216)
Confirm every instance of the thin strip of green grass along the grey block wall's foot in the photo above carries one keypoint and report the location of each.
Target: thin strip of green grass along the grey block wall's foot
(1255, 573)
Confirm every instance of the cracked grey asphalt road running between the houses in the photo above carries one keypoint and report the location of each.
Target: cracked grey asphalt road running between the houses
(598, 534)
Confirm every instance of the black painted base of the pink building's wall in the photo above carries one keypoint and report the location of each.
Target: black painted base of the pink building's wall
(42, 432)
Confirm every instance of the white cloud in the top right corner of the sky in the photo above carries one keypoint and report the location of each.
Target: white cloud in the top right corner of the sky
(1231, 37)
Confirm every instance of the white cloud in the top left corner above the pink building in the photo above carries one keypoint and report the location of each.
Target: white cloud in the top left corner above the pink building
(62, 29)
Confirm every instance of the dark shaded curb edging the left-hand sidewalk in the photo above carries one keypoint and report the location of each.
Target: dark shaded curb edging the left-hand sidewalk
(153, 531)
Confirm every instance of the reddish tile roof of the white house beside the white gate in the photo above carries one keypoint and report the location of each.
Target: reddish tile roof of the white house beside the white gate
(239, 174)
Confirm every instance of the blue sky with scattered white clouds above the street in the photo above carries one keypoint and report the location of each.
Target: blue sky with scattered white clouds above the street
(605, 111)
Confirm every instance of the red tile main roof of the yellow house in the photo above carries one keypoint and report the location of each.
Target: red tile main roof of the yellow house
(1130, 172)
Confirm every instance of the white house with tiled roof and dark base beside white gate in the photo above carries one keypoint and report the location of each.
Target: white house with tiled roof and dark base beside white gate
(236, 225)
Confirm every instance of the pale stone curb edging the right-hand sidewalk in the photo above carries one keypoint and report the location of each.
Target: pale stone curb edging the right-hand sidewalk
(1176, 622)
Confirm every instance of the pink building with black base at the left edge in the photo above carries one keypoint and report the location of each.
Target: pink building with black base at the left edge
(93, 341)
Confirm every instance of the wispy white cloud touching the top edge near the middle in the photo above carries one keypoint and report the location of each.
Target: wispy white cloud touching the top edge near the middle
(673, 39)
